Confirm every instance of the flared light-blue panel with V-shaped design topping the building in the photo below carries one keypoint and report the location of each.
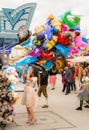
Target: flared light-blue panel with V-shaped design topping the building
(12, 19)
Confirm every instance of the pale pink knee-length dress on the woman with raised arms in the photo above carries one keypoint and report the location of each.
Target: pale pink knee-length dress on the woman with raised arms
(29, 96)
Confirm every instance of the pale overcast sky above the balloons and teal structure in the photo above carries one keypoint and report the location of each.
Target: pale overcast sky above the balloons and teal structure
(55, 7)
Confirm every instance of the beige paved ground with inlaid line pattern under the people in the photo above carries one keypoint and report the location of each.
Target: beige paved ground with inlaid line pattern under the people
(60, 115)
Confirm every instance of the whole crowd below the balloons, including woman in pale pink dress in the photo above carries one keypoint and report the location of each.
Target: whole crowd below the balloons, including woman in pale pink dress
(75, 77)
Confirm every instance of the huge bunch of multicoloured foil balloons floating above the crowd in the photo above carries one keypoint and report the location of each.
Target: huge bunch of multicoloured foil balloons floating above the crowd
(54, 41)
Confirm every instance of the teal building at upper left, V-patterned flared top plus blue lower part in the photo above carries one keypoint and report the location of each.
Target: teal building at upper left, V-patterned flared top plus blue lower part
(11, 20)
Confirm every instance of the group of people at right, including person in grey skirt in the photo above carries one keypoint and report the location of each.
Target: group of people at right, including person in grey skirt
(76, 78)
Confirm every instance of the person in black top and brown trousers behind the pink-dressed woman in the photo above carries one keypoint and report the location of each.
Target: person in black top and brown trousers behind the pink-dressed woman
(43, 82)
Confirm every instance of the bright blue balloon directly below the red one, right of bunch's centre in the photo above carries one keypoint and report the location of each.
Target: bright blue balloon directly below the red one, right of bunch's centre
(62, 50)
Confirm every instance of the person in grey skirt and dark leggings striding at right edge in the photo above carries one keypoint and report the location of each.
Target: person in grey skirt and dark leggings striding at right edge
(83, 93)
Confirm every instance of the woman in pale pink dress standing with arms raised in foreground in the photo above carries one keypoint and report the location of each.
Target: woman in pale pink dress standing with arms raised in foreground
(29, 98)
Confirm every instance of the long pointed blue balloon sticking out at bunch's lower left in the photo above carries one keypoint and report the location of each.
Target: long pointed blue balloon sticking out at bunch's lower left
(25, 60)
